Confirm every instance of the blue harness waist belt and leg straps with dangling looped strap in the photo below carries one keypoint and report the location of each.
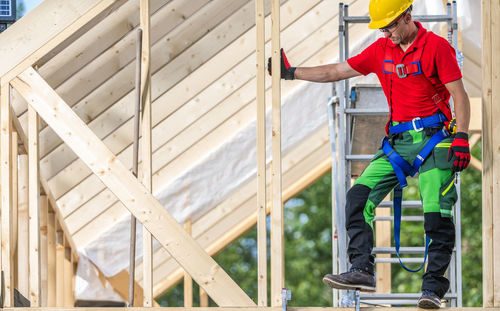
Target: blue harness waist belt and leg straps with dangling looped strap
(402, 169)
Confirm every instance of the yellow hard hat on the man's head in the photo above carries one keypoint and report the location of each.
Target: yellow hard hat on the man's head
(383, 12)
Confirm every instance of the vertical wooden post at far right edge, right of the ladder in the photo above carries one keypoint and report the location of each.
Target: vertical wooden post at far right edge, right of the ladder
(489, 60)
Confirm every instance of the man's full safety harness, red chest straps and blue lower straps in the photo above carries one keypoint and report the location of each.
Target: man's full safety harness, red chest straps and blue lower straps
(401, 167)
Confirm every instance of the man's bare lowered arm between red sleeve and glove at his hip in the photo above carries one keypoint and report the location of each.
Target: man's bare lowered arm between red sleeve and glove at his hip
(462, 104)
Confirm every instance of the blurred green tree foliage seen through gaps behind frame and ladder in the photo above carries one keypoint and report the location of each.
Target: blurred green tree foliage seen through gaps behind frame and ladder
(308, 247)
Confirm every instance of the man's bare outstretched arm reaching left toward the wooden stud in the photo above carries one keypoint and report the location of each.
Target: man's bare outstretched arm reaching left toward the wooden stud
(326, 73)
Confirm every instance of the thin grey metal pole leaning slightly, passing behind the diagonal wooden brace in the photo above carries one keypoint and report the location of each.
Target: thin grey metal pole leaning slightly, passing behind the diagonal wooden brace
(135, 164)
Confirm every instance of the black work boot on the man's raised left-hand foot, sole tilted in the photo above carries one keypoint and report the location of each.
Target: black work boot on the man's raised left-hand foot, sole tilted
(353, 279)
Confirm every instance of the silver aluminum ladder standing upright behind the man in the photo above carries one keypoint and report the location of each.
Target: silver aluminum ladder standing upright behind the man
(345, 110)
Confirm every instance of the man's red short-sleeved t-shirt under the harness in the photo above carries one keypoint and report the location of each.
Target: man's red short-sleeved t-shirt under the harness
(412, 97)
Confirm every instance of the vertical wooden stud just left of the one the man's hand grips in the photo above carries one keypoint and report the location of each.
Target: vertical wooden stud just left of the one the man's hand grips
(261, 154)
